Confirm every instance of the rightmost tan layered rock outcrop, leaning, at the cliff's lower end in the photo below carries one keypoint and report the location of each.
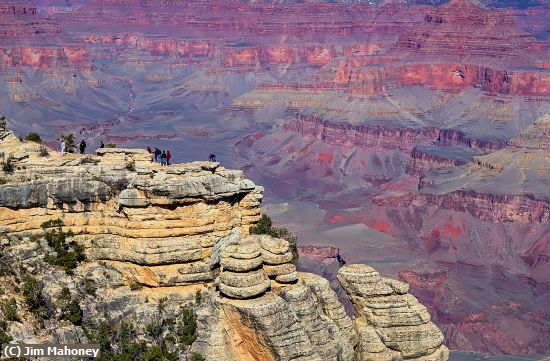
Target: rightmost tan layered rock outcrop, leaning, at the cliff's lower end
(391, 323)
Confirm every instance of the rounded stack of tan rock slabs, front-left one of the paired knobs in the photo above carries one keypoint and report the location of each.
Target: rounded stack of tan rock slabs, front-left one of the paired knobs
(242, 275)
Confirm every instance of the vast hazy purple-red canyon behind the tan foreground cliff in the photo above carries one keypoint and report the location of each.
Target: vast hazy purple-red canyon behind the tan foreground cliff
(410, 135)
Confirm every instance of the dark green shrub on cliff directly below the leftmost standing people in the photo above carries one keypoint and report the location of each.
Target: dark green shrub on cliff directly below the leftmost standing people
(68, 254)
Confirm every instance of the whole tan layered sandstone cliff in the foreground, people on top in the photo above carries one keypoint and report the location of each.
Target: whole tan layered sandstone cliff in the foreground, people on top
(155, 236)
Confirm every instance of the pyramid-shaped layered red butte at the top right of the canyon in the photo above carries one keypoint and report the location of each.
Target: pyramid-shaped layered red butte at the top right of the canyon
(467, 29)
